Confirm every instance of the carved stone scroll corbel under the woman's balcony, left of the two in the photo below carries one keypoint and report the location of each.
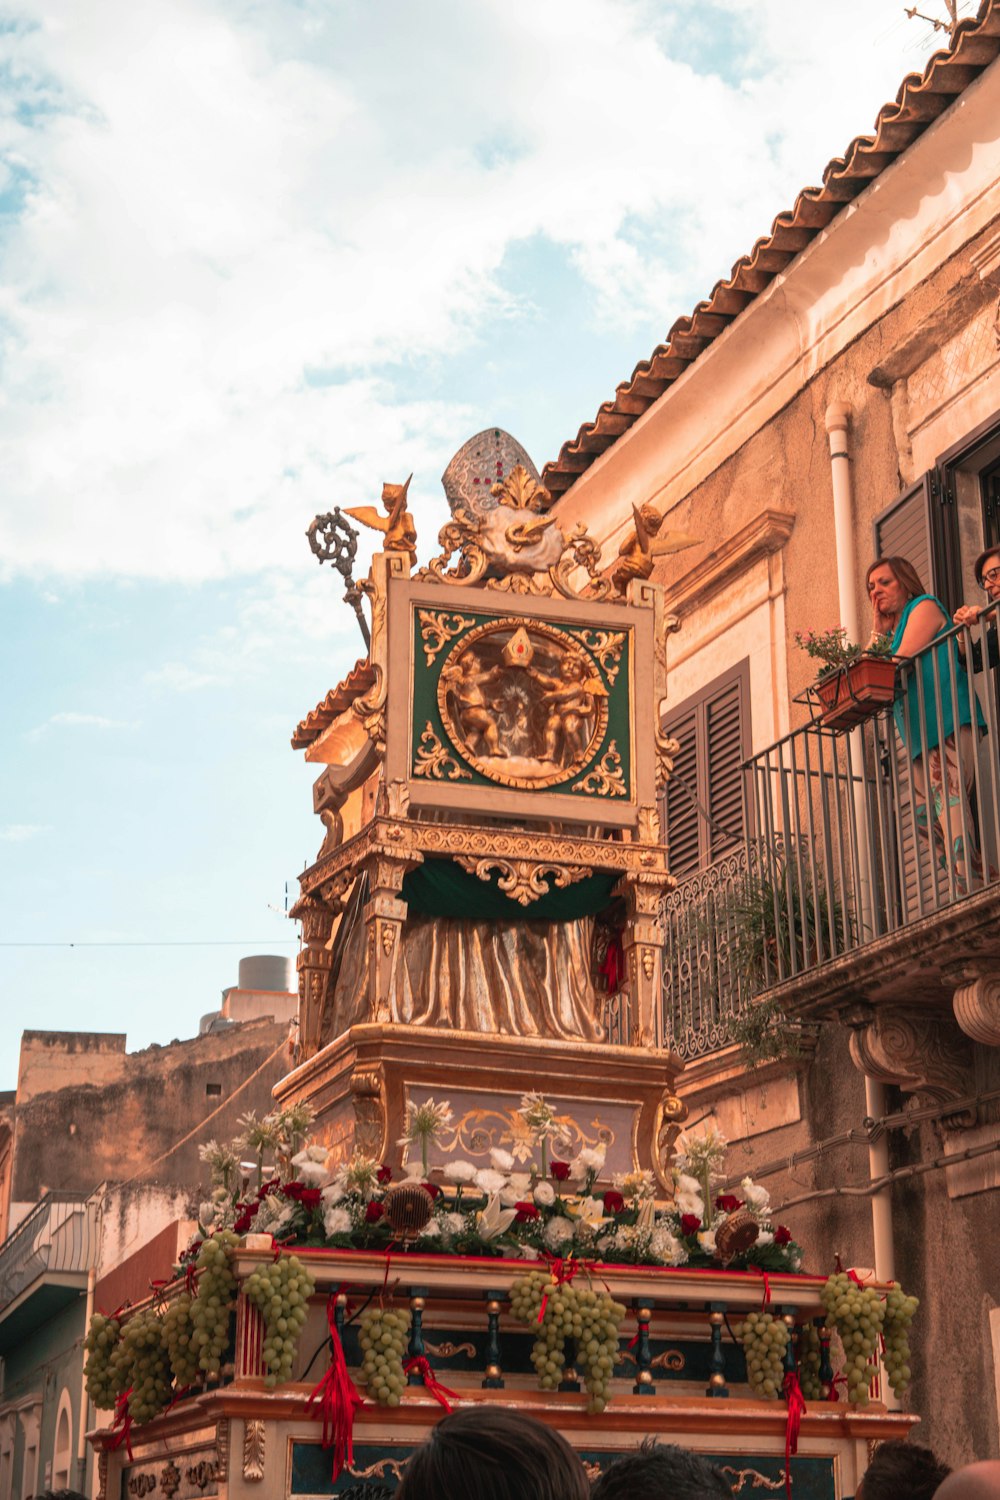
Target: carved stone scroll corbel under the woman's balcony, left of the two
(921, 1052)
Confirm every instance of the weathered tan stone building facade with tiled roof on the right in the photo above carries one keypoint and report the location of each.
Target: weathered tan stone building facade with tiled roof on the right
(837, 395)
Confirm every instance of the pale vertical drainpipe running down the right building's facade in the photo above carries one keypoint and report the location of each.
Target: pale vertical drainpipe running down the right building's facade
(837, 428)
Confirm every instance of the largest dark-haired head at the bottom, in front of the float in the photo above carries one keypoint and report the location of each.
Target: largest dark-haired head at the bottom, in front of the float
(494, 1453)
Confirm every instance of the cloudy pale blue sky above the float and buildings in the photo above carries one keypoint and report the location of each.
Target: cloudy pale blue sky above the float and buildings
(256, 259)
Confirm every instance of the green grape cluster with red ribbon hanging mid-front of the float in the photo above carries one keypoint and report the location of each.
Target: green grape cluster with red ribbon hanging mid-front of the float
(593, 1319)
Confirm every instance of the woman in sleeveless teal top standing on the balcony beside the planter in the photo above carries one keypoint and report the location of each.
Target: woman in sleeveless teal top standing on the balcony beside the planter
(942, 752)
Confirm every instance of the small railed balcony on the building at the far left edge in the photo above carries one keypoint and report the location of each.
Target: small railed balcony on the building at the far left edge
(44, 1264)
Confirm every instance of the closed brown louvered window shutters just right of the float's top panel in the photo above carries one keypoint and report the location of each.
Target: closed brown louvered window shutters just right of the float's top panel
(713, 730)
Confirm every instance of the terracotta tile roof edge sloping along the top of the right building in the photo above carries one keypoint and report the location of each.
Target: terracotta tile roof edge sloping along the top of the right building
(921, 100)
